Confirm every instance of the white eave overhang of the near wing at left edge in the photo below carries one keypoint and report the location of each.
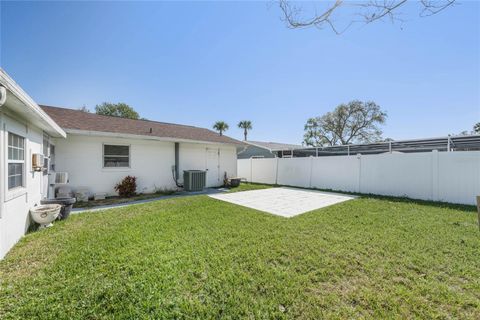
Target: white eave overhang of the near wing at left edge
(19, 103)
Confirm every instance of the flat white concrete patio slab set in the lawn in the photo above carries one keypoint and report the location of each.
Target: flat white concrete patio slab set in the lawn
(285, 202)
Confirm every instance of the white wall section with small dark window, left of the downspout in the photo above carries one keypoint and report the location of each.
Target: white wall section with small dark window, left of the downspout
(82, 157)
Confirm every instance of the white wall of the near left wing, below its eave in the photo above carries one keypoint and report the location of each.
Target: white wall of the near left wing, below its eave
(16, 203)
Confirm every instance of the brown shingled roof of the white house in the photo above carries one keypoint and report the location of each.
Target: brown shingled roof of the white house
(79, 120)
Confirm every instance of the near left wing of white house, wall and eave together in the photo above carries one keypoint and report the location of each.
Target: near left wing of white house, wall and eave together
(24, 130)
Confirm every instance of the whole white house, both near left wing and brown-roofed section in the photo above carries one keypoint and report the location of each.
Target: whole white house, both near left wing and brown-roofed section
(96, 151)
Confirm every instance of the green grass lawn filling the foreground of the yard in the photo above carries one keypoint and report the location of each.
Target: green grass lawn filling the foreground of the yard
(197, 257)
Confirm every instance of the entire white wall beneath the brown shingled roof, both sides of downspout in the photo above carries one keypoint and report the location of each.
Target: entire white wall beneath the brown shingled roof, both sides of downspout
(151, 162)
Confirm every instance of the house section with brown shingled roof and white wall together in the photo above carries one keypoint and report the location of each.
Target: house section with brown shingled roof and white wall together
(101, 150)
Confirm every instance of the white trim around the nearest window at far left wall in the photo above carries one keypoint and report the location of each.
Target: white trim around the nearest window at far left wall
(17, 191)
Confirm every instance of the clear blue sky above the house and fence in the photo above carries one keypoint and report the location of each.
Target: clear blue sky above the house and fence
(198, 62)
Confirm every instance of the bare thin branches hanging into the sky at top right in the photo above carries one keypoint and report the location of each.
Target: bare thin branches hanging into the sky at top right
(330, 13)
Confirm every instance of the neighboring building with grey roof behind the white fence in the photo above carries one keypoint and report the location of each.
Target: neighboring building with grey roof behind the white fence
(259, 149)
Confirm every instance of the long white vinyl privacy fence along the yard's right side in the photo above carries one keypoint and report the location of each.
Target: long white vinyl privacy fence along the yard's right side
(439, 176)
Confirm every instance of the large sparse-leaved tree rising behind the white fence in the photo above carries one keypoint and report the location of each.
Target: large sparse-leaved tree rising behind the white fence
(354, 122)
